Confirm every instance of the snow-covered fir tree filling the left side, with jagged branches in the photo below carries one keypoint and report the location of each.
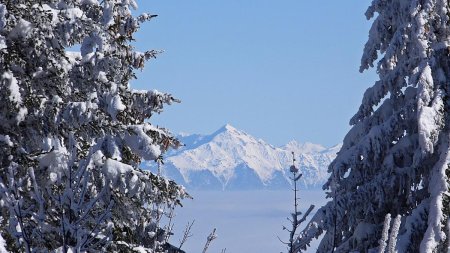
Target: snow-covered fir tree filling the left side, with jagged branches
(73, 132)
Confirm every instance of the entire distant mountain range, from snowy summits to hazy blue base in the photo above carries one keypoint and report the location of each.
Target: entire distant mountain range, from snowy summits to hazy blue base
(230, 159)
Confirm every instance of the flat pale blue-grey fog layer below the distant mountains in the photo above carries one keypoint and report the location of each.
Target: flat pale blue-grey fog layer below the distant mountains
(246, 221)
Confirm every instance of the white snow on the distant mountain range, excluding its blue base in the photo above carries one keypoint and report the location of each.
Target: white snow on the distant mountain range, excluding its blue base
(228, 148)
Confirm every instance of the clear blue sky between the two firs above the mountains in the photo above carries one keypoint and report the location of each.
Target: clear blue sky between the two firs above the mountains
(279, 70)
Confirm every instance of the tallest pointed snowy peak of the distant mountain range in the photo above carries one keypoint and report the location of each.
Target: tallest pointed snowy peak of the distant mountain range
(226, 149)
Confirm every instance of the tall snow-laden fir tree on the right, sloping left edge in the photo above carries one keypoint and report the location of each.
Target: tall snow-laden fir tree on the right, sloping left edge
(395, 160)
